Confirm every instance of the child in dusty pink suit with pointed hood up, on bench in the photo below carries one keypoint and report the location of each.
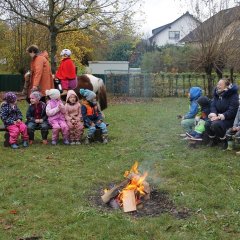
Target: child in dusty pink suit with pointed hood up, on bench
(73, 117)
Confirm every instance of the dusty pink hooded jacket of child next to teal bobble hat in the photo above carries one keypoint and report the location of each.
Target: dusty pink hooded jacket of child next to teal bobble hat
(72, 111)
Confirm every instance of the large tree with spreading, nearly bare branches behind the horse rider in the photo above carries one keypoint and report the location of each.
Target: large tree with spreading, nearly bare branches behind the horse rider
(59, 16)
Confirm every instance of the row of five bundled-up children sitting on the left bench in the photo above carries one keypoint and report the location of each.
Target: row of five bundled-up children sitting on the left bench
(69, 118)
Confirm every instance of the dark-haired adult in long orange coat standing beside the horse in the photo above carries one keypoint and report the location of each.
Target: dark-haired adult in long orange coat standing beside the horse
(40, 75)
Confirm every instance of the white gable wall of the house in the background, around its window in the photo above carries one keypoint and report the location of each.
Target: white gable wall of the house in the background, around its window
(184, 25)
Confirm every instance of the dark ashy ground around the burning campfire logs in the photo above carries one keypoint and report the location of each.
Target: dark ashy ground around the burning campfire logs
(159, 203)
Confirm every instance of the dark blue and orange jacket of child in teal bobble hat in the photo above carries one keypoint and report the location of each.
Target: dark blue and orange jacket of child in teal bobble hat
(90, 113)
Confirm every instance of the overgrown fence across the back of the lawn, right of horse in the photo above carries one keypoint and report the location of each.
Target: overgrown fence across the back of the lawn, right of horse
(156, 85)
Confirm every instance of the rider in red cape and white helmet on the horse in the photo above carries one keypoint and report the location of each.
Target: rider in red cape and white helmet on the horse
(66, 72)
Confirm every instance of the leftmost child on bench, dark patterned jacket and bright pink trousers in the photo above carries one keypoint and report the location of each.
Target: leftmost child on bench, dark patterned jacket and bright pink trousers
(12, 120)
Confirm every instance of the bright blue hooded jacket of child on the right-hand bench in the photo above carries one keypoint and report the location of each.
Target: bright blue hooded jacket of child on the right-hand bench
(194, 94)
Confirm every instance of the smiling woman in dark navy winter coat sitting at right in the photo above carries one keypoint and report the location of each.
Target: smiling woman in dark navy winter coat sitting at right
(224, 108)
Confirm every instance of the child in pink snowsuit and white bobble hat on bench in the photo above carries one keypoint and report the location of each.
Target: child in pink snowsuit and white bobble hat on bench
(56, 116)
